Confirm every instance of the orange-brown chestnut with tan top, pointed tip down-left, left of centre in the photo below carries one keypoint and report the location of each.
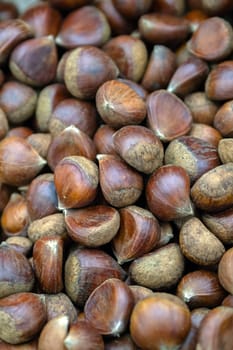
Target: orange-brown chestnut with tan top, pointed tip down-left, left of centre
(76, 180)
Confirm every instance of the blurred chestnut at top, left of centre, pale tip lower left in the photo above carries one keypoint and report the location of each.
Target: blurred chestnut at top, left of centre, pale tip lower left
(74, 32)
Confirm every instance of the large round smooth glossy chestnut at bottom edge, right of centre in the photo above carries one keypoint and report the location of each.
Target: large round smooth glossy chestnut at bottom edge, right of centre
(166, 322)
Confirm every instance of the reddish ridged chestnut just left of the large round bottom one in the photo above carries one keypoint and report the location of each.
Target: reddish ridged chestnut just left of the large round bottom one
(109, 306)
